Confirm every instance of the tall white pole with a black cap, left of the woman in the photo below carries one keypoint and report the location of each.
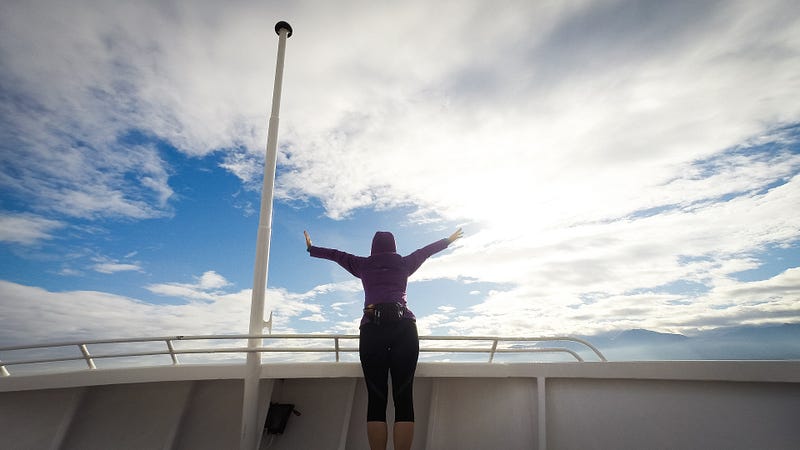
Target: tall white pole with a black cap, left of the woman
(251, 431)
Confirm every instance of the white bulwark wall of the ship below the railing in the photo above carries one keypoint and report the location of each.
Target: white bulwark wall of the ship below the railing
(594, 405)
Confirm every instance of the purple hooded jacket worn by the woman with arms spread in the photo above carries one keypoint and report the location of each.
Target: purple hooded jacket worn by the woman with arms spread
(384, 274)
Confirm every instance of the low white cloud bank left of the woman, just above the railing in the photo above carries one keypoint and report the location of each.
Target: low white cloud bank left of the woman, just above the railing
(33, 314)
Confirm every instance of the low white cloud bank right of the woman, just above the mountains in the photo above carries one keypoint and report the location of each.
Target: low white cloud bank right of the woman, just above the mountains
(524, 312)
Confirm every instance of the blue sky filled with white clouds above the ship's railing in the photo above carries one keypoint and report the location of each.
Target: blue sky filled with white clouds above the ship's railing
(614, 165)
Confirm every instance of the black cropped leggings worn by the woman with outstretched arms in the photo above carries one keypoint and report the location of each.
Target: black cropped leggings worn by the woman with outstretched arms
(392, 347)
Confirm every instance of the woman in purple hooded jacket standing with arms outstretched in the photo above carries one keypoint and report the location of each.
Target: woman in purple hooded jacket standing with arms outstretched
(388, 340)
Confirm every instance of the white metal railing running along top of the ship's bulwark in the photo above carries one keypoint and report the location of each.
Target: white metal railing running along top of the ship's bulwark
(495, 345)
